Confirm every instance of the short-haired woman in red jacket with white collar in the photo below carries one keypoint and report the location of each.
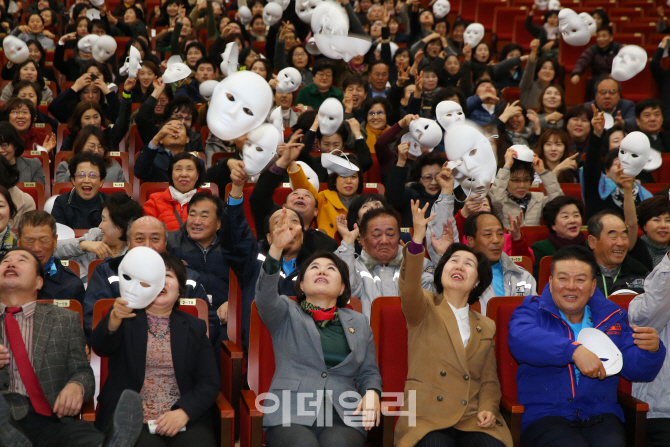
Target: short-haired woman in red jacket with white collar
(187, 174)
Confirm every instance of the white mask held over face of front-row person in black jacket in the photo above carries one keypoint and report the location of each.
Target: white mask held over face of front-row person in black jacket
(141, 265)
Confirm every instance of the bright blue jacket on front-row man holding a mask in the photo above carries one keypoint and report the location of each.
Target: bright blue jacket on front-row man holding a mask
(543, 344)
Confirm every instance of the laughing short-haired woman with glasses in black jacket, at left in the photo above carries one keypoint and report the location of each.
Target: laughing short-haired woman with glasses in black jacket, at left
(82, 207)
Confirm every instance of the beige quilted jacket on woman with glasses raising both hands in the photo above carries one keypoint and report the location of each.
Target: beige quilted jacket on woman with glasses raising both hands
(502, 204)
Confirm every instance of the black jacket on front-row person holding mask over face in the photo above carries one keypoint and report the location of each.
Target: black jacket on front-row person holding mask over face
(194, 364)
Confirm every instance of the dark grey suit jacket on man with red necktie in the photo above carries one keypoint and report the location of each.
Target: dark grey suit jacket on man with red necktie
(59, 357)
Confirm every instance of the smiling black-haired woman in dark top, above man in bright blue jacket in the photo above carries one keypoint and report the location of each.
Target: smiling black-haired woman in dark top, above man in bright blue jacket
(563, 216)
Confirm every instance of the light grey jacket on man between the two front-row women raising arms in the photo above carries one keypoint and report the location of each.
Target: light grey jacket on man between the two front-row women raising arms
(370, 280)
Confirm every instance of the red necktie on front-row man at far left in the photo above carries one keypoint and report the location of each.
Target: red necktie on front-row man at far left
(26, 371)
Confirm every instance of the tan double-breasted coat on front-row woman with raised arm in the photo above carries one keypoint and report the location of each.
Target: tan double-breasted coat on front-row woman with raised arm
(452, 382)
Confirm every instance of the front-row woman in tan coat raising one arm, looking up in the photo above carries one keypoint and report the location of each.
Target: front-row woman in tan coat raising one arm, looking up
(451, 361)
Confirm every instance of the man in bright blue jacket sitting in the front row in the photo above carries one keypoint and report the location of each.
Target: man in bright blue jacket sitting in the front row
(563, 386)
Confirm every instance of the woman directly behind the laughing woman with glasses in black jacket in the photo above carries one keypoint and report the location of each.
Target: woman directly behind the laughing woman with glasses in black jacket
(92, 139)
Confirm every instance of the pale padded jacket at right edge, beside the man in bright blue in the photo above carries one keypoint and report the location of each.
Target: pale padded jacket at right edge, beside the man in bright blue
(652, 309)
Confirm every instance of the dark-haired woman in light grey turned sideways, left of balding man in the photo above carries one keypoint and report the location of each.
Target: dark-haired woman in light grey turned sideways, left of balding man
(109, 239)
